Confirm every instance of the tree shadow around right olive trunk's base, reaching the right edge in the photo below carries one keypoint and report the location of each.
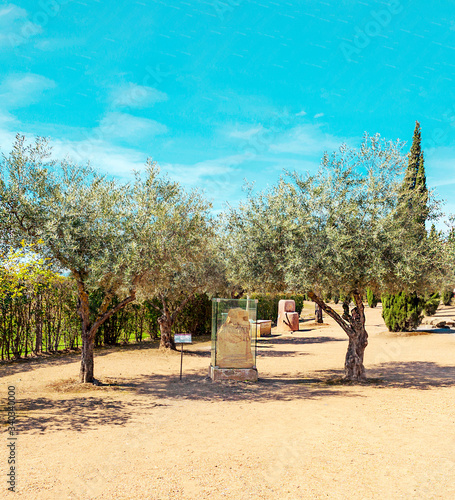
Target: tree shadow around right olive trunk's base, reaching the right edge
(422, 375)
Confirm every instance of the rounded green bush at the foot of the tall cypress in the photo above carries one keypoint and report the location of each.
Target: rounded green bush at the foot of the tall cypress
(402, 312)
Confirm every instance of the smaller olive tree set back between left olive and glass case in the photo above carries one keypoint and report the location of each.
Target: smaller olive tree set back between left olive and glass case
(185, 261)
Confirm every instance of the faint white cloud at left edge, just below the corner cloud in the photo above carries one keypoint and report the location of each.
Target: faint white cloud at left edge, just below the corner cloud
(19, 90)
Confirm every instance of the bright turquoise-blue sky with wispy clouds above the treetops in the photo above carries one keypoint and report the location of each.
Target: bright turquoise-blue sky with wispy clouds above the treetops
(218, 92)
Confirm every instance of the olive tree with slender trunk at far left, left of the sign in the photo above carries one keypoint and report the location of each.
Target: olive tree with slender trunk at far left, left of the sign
(112, 237)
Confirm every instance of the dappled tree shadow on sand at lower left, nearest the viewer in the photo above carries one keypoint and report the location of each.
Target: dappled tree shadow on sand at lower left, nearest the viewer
(79, 413)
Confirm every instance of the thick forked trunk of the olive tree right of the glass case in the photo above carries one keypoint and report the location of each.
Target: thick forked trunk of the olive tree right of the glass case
(353, 324)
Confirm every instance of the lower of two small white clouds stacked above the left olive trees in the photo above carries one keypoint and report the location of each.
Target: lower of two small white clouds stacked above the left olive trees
(128, 127)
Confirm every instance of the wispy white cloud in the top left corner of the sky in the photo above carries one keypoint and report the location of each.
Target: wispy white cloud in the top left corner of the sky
(15, 26)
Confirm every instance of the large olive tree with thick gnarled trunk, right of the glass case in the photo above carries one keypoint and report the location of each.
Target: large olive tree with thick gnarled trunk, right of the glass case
(334, 231)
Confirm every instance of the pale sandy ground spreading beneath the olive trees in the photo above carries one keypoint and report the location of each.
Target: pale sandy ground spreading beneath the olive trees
(292, 435)
